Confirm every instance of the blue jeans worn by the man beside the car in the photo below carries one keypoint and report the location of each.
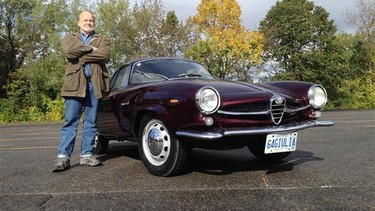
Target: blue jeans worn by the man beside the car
(73, 111)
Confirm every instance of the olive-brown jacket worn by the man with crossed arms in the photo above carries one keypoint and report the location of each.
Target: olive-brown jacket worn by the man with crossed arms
(77, 54)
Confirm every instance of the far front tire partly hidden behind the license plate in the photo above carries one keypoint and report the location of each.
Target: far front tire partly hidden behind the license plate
(257, 149)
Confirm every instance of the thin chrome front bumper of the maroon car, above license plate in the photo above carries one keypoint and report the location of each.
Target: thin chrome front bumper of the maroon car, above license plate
(253, 131)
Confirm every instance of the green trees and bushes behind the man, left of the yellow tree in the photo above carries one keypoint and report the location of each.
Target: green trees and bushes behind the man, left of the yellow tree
(32, 64)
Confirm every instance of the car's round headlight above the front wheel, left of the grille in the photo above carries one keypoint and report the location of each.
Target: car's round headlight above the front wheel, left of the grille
(207, 99)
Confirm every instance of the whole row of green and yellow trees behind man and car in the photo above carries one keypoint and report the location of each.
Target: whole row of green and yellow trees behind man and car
(295, 33)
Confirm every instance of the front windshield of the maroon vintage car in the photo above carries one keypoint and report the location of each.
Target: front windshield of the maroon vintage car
(166, 69)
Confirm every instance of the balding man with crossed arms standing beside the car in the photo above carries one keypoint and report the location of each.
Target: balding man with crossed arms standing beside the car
(86, 81)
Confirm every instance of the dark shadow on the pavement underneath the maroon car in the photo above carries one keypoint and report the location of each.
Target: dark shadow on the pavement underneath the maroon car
(219, 162)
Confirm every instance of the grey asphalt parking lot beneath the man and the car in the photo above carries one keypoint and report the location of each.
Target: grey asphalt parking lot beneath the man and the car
(332, 169)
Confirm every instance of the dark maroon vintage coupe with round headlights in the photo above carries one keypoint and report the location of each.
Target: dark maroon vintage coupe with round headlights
(170, 105)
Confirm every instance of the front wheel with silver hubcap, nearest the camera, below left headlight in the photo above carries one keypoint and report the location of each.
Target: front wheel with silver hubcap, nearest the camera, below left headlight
(161, 153)
